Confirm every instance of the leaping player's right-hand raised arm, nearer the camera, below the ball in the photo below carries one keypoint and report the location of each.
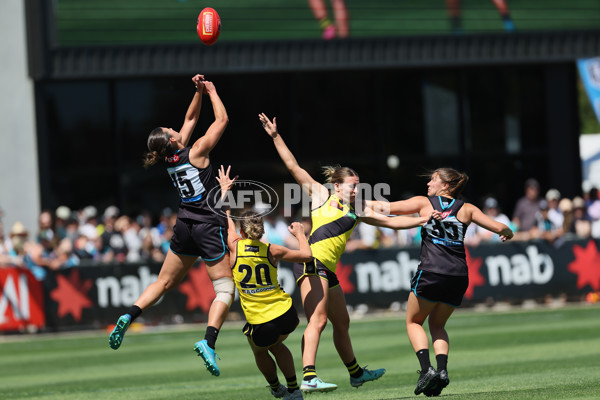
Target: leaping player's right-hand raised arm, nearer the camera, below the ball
(203, 146)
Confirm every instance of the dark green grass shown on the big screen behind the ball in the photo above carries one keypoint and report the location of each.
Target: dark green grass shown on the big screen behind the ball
(92, 22)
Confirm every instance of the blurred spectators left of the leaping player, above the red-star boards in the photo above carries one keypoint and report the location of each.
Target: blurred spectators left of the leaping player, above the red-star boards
(66, 238)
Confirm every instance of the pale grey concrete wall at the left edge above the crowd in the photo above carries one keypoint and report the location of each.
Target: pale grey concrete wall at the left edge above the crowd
(19, 180)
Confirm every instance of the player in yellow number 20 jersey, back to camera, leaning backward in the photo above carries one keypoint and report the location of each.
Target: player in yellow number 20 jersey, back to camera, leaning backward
(269, 311)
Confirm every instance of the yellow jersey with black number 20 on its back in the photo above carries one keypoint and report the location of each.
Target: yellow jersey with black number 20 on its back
(261, 296)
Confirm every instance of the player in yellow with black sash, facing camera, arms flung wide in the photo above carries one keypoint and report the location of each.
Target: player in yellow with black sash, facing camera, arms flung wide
(333, 219)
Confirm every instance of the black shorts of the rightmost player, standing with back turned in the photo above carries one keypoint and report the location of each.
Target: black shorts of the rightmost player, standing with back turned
(438, 288)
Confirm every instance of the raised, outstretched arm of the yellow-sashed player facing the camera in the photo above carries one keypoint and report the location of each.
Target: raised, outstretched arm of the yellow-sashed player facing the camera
(315, 190)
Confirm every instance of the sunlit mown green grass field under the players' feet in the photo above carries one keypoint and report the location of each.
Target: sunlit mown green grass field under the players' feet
(539, 354)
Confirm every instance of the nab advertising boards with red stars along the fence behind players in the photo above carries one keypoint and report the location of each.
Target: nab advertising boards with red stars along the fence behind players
(95, 296)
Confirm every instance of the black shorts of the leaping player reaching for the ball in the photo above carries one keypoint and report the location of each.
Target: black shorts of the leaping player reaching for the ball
(200, 239)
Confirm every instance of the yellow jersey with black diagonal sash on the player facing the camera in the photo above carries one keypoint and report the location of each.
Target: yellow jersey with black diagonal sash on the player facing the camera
(332, 225)
